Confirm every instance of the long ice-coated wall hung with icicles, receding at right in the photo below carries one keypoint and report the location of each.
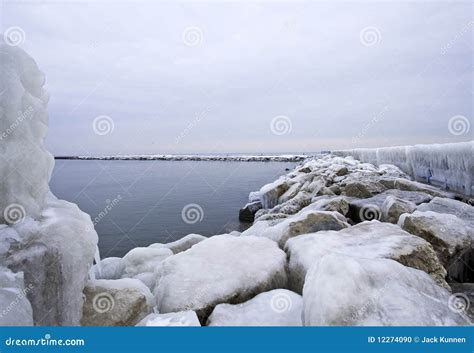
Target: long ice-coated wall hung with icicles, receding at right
(450, 165)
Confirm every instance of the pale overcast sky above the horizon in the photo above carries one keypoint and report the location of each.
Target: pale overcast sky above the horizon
(167, 77)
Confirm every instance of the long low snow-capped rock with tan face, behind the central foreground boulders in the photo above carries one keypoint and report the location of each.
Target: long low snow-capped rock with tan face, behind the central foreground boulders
(306, 221)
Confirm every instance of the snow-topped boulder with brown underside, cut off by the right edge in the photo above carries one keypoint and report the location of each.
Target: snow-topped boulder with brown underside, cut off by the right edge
(448, 234)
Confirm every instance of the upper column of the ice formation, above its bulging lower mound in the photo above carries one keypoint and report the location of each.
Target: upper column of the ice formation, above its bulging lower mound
(25, 165)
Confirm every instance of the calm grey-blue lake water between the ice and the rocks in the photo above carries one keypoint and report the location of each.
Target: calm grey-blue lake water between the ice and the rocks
(142, 201)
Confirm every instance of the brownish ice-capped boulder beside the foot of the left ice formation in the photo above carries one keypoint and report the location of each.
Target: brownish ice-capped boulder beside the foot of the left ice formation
(121, 302)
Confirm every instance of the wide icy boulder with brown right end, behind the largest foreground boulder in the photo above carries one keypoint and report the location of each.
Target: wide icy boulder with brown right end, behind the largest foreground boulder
(368, 239)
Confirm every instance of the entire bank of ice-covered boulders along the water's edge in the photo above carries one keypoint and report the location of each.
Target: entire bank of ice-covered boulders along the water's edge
(334, 242)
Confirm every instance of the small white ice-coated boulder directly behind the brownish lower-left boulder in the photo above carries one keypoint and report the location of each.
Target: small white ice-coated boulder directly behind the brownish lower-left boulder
(140, 260)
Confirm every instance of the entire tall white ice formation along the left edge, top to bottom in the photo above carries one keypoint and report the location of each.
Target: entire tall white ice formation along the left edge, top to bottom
(46, 244)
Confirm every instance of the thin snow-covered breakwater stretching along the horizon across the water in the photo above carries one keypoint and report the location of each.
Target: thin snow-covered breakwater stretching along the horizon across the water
(192, 157)
